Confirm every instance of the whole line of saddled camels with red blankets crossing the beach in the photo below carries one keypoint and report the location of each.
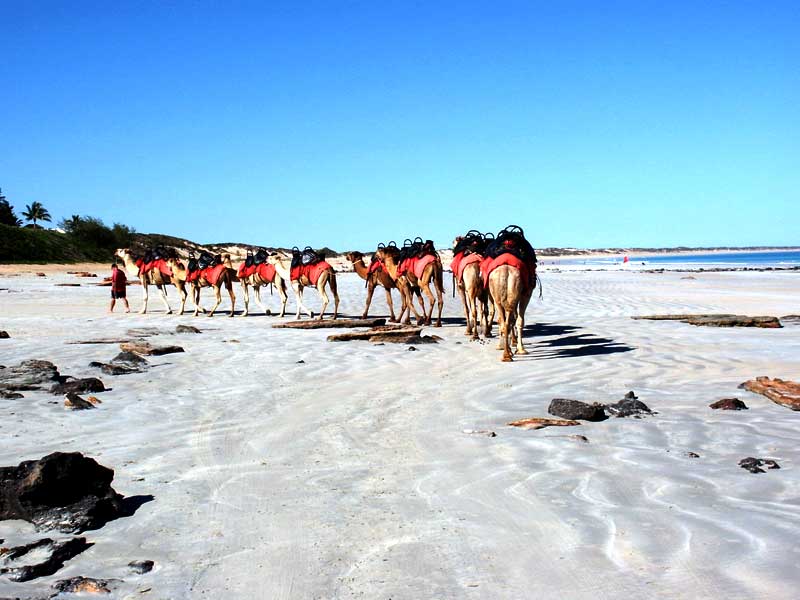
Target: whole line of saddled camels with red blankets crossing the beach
(494, 276)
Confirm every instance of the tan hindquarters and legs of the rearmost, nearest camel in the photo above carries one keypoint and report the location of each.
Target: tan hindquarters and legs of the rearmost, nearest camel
(511, 297)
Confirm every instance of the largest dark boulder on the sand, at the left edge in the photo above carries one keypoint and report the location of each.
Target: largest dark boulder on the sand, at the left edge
(65, 491)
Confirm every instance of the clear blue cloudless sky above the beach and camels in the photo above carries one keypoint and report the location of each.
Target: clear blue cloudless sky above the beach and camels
(590, 124)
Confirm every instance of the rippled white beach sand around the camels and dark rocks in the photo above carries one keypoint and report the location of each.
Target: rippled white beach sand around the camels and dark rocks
(349, 476)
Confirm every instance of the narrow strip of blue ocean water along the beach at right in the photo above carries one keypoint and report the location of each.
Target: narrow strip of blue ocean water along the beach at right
(732, 260)
